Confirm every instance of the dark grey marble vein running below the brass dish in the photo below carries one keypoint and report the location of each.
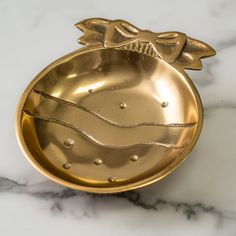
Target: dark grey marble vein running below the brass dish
(189, 210)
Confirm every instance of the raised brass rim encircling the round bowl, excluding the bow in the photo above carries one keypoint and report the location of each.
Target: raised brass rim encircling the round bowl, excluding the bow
(111, 189)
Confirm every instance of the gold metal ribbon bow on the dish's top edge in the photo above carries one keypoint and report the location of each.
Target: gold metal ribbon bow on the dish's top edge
(173, 47)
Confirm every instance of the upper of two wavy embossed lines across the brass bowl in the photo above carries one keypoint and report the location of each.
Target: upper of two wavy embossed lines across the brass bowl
(59, 100)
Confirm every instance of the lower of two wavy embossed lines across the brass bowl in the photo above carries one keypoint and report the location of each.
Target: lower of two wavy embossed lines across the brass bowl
(93, 140)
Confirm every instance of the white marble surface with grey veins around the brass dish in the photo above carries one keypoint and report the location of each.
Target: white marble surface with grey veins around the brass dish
(199, 198)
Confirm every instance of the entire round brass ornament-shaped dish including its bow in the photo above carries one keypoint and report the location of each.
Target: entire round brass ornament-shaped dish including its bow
(116, 115)
